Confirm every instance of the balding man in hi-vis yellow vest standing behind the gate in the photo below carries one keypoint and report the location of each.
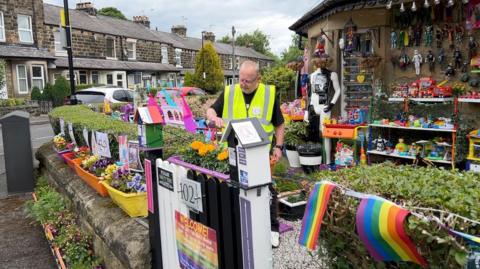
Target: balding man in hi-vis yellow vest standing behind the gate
(250, 99)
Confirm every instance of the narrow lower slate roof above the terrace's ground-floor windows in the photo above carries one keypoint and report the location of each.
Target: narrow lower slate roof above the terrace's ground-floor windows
(102, 64)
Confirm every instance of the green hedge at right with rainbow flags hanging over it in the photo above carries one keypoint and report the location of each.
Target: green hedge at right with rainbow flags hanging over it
(451, 191)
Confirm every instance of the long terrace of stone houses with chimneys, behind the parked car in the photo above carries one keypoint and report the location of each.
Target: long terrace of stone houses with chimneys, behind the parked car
(111, 51)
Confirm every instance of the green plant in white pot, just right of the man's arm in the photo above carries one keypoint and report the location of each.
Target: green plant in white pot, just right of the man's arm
(295, 134)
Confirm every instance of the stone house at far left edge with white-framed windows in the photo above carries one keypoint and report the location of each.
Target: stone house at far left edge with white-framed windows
(23, 47)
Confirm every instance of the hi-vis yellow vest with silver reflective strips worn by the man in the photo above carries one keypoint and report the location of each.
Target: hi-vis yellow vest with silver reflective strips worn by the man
(261, 106)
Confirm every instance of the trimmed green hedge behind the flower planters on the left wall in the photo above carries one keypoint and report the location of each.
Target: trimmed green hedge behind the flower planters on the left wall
(82, 116)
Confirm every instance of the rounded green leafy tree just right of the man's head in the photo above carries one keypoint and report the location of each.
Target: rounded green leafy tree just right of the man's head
(283, 79)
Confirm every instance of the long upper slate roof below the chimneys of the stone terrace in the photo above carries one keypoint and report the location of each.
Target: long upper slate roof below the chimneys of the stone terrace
(113, 26)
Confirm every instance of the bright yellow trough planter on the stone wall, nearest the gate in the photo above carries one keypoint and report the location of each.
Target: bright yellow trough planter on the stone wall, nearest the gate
(134, 204)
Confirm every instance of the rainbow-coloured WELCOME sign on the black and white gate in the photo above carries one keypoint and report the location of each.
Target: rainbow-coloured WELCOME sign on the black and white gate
(196, 244)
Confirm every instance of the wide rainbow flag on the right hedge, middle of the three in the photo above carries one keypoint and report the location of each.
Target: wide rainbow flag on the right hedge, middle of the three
(380, 227)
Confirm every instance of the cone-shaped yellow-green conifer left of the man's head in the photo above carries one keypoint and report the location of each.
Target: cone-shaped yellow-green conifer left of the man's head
(207, 61)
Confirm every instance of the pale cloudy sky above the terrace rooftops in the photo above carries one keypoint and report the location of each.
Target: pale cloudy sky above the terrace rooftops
(273, 17)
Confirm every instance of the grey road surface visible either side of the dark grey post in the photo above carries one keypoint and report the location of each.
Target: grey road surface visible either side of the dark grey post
(40, 134)
